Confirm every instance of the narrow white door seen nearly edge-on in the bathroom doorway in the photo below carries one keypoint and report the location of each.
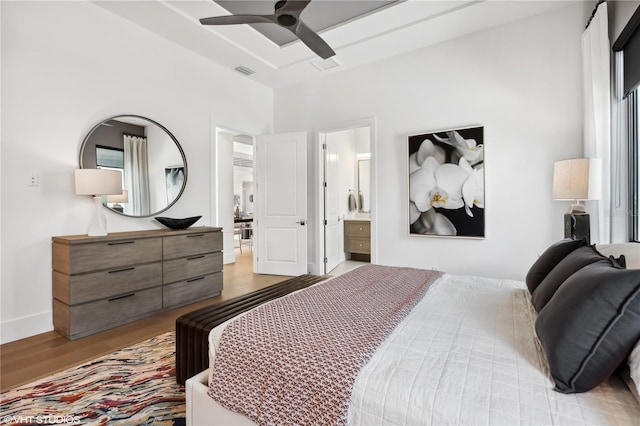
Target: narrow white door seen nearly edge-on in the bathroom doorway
(333, 230)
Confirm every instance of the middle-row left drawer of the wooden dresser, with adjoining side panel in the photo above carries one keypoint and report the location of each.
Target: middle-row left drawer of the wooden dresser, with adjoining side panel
(82, 288)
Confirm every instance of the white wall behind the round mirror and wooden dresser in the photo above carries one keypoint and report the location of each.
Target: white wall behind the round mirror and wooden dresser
(65, 67)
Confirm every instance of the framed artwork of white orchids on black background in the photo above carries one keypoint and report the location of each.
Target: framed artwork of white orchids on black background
(446, 183)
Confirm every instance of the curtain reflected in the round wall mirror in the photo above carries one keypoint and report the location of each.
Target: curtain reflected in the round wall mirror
(136, 175)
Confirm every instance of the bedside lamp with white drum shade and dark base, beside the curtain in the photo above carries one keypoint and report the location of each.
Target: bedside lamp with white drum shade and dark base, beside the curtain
(577, 180)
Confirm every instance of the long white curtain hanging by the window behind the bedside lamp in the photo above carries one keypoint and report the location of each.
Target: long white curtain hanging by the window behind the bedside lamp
(596, 65)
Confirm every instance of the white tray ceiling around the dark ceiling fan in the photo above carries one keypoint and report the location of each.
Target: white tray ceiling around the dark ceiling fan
(402, 27)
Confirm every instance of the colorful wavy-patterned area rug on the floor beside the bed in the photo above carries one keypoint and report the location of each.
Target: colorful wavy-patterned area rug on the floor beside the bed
(133, 386)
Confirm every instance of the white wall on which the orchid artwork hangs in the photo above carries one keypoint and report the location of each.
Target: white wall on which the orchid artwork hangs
(522, 81)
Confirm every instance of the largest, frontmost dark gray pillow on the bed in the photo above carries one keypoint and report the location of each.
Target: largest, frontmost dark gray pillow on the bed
(590, 325)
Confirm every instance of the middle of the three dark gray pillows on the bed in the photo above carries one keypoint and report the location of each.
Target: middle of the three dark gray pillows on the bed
(574, 261)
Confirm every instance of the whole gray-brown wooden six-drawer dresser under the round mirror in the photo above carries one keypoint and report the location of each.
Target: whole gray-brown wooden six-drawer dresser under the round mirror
(103, 282)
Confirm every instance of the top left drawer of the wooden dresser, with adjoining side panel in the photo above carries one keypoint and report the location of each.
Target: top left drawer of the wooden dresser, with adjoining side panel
(79, 258)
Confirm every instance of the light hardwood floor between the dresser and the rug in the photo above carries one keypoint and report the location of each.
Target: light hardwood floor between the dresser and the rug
(35, 357)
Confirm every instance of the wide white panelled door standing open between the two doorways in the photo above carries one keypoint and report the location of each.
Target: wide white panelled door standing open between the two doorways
(281, 195)
